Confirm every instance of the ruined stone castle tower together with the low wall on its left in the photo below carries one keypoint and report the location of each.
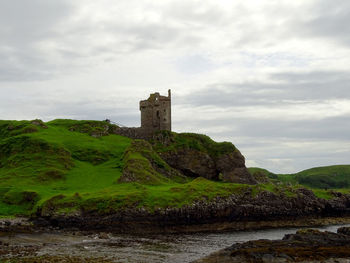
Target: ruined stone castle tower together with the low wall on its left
(155, 116)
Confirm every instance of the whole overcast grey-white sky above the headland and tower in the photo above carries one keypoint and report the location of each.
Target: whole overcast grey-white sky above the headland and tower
(271, 76)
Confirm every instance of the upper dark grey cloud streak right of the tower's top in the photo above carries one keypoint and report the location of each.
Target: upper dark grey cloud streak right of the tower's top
(283, 89)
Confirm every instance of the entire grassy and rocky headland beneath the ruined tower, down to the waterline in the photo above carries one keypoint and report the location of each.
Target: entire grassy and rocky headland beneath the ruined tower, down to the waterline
(84, 174)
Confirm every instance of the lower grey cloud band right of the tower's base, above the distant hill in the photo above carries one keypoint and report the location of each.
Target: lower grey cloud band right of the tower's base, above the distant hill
(331, 128)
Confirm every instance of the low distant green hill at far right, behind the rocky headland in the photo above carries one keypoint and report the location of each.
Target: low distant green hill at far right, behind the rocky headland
(327, 177)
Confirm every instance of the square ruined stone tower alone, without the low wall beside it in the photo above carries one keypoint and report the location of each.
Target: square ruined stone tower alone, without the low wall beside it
(156, 112)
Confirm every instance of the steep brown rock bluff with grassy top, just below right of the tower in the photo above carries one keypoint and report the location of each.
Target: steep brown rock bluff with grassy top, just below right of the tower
(198, 156)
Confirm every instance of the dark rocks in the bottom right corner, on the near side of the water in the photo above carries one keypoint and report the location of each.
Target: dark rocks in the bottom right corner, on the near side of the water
(305, 246)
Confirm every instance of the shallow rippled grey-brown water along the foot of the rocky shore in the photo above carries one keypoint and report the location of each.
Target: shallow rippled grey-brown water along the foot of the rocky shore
(179, 248)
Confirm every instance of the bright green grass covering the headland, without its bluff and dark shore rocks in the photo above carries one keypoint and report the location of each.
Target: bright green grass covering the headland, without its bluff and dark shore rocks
(65, 165)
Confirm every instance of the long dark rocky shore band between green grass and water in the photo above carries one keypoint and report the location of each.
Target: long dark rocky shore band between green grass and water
(230, 213)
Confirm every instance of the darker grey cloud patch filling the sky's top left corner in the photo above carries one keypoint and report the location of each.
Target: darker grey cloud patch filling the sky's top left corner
(23, 26)
